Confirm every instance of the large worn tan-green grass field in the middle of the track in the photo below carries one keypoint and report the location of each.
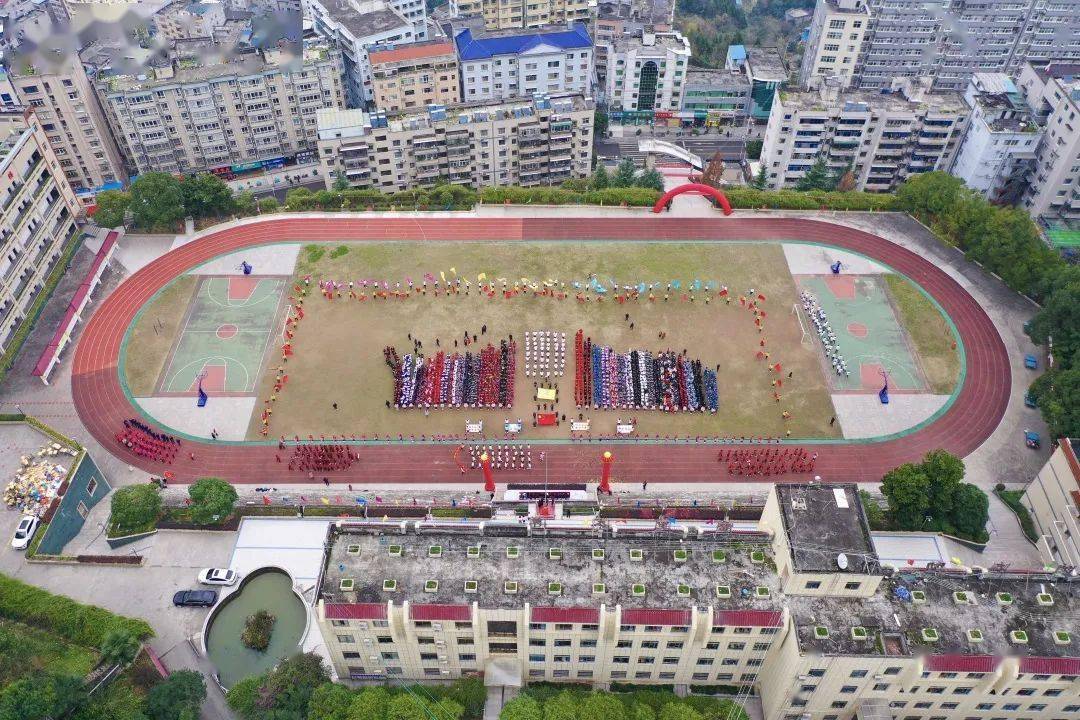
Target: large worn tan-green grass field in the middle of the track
(340, 345)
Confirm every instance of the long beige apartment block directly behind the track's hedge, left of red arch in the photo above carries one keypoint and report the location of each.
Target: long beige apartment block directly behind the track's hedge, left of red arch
(543, 141)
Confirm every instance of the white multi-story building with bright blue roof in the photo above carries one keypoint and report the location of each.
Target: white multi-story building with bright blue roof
(503, 65)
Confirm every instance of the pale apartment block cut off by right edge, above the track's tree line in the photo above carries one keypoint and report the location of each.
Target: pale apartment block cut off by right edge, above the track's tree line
(1054, 94)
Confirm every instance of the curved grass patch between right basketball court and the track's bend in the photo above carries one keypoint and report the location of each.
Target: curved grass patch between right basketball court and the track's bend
(929, 332)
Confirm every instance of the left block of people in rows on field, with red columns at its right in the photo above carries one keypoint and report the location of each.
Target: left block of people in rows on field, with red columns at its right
(456, 381)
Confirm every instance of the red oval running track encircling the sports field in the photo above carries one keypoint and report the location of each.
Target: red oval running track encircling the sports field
(103, 405)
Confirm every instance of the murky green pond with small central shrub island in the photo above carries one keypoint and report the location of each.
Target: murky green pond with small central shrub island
(264, 590)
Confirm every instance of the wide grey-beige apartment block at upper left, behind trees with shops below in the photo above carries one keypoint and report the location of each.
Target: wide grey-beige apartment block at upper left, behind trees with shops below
(224, 112)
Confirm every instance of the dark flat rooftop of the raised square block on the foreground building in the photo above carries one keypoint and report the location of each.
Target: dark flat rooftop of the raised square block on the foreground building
(823, 522)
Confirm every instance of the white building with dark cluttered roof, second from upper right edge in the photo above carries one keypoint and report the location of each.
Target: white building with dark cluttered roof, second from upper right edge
(998, 150)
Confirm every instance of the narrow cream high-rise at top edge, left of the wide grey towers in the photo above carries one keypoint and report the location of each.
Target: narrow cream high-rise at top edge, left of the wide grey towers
(835, 42)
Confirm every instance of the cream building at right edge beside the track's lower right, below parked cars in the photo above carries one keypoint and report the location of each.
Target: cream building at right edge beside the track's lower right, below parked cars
(1054, 500)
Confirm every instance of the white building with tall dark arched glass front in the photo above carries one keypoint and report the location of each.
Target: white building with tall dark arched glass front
(646, 72)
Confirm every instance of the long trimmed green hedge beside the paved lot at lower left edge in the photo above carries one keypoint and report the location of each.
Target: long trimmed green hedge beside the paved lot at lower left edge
(82, 624)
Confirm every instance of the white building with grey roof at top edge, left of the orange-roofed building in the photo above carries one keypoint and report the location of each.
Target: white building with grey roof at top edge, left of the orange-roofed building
(356, 25)
